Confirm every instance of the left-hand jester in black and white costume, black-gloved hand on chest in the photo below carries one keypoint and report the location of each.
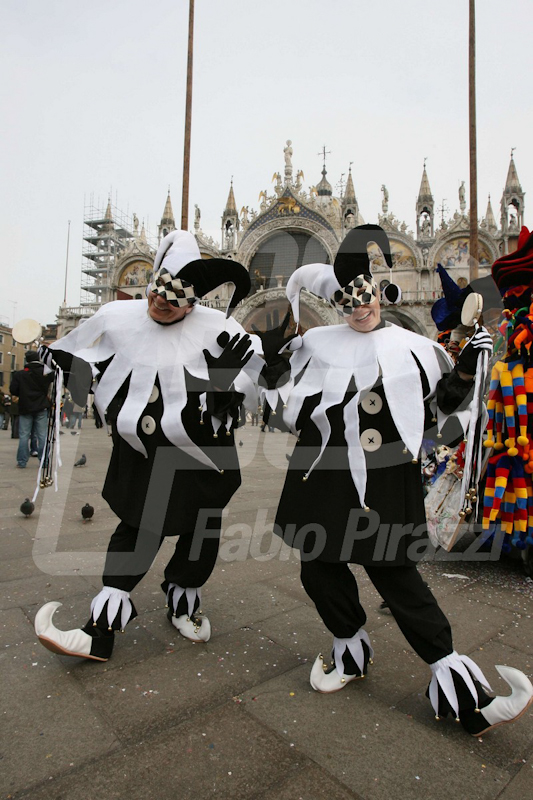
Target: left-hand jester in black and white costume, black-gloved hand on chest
(171, 378)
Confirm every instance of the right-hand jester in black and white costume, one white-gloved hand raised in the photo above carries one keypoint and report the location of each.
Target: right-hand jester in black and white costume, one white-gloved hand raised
(358, 400)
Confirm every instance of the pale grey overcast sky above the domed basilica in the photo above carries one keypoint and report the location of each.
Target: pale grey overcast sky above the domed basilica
(93, 94)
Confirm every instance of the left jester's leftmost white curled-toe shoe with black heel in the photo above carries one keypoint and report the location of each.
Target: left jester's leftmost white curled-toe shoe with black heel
(70, 643)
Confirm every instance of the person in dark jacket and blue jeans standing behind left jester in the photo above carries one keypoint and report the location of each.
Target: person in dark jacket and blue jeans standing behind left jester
(30, 385)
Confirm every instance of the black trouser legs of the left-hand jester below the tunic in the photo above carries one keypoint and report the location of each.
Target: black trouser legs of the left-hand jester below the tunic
(131, 552)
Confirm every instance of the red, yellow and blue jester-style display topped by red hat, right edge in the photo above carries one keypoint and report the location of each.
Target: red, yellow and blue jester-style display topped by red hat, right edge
(508, 496)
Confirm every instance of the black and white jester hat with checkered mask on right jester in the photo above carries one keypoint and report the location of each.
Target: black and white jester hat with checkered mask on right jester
(349, 278)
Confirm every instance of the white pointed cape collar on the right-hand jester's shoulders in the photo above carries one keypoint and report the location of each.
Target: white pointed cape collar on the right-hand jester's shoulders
(331, 356)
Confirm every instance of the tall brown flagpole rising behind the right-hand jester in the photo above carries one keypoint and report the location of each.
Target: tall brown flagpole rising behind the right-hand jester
(474, 241)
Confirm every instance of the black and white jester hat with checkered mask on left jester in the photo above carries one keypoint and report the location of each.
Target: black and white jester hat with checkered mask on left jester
(182, 276)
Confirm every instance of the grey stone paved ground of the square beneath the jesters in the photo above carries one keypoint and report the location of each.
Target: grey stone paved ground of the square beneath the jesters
(234, 718)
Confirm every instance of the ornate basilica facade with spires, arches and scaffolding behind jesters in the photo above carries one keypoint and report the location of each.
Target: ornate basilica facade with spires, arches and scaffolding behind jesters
(295, 225)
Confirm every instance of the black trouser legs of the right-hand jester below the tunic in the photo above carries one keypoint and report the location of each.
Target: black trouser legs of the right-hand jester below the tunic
(333, 589)
